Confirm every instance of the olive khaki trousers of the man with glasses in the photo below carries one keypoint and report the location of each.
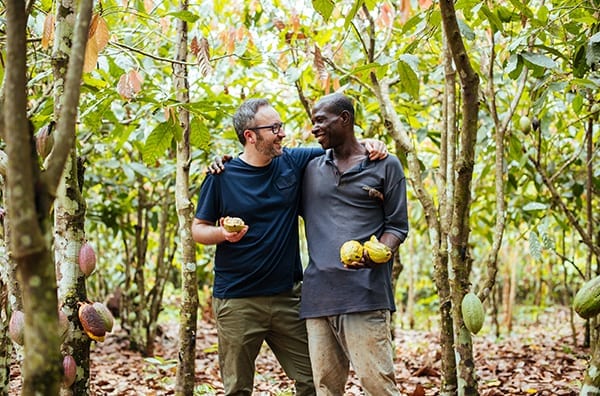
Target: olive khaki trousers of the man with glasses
(242, 326)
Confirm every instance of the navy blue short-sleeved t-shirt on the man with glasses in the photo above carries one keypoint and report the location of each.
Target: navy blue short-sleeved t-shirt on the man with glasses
(266, 261)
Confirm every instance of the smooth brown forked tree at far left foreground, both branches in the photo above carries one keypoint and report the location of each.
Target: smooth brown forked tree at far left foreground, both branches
(31, 191)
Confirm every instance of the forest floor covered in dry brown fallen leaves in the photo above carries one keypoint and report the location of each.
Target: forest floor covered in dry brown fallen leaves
(538, 357)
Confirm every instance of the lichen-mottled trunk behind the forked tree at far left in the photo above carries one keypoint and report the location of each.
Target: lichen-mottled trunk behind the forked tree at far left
(69, 217)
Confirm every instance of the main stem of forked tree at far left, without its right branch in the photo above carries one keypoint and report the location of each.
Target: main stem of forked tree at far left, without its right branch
(27, 214)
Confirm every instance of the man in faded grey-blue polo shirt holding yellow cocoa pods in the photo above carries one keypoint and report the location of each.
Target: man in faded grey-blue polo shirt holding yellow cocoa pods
(346, 196)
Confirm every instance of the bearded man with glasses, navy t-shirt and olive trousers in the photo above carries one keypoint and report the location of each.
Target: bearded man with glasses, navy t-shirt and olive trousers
(258, 271)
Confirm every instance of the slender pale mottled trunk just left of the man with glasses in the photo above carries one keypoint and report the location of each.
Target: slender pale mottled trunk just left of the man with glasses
(185, 213)
